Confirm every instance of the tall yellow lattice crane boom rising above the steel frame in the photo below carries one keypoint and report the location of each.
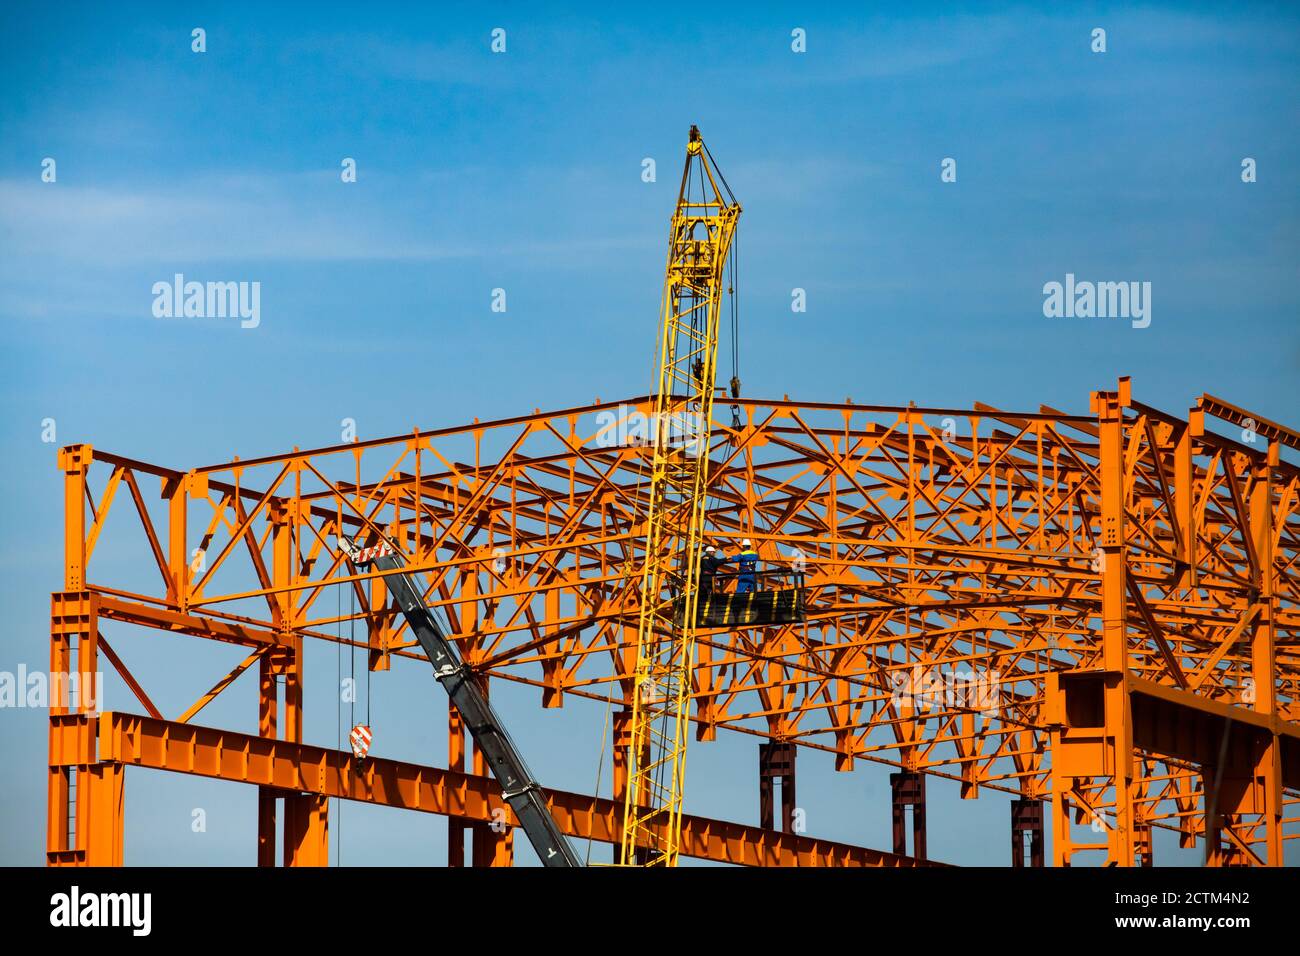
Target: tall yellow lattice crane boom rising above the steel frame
(700, 241)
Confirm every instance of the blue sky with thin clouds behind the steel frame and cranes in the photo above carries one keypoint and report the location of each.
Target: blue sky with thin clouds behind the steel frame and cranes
(523, 171)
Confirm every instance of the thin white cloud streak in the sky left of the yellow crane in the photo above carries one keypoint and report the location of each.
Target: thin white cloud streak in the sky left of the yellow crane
(248, 218)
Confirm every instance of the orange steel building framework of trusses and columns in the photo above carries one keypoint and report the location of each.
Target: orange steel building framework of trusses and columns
(1098, 612)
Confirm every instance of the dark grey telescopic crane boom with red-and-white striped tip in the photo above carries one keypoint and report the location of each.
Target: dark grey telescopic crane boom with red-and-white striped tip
(518, 785)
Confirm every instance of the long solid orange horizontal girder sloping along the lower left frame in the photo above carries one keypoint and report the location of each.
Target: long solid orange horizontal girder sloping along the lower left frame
(317, 775)
